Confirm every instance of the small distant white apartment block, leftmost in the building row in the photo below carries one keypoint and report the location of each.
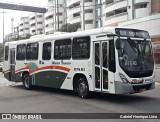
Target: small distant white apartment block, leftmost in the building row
(24, 26)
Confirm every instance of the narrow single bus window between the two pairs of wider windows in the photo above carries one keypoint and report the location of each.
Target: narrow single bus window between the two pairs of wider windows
(46, 51)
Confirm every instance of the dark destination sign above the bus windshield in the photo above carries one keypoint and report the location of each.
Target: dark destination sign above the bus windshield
(132, 33)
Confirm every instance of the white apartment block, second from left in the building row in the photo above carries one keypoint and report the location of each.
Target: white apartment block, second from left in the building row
(36, 23)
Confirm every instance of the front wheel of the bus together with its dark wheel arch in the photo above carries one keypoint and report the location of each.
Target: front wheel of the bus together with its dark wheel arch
(80, 85)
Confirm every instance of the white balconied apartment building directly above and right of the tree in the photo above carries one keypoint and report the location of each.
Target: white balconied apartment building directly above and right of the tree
(79, 10)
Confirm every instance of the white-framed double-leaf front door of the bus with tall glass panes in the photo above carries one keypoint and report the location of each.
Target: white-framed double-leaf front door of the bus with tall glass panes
(101, 65)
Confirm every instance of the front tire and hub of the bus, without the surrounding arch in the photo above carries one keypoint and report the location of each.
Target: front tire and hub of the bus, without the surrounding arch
(82, 88)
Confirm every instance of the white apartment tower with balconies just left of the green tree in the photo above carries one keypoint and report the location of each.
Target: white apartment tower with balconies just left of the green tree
(55, 16)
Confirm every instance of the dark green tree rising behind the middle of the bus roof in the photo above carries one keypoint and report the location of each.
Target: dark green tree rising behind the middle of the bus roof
(70, 27)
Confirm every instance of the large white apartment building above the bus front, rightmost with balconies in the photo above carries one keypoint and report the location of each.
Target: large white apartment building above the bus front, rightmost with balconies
(117, 11)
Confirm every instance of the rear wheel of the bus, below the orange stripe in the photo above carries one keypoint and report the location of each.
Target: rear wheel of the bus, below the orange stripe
(26, 82)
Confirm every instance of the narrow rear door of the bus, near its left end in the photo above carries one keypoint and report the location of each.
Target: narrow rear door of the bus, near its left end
(12, 65)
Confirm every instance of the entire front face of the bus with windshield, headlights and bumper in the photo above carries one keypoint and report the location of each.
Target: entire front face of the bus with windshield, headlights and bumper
(135, 61)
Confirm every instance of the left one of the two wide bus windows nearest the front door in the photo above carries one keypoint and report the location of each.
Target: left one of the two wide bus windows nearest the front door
(62, 49)
